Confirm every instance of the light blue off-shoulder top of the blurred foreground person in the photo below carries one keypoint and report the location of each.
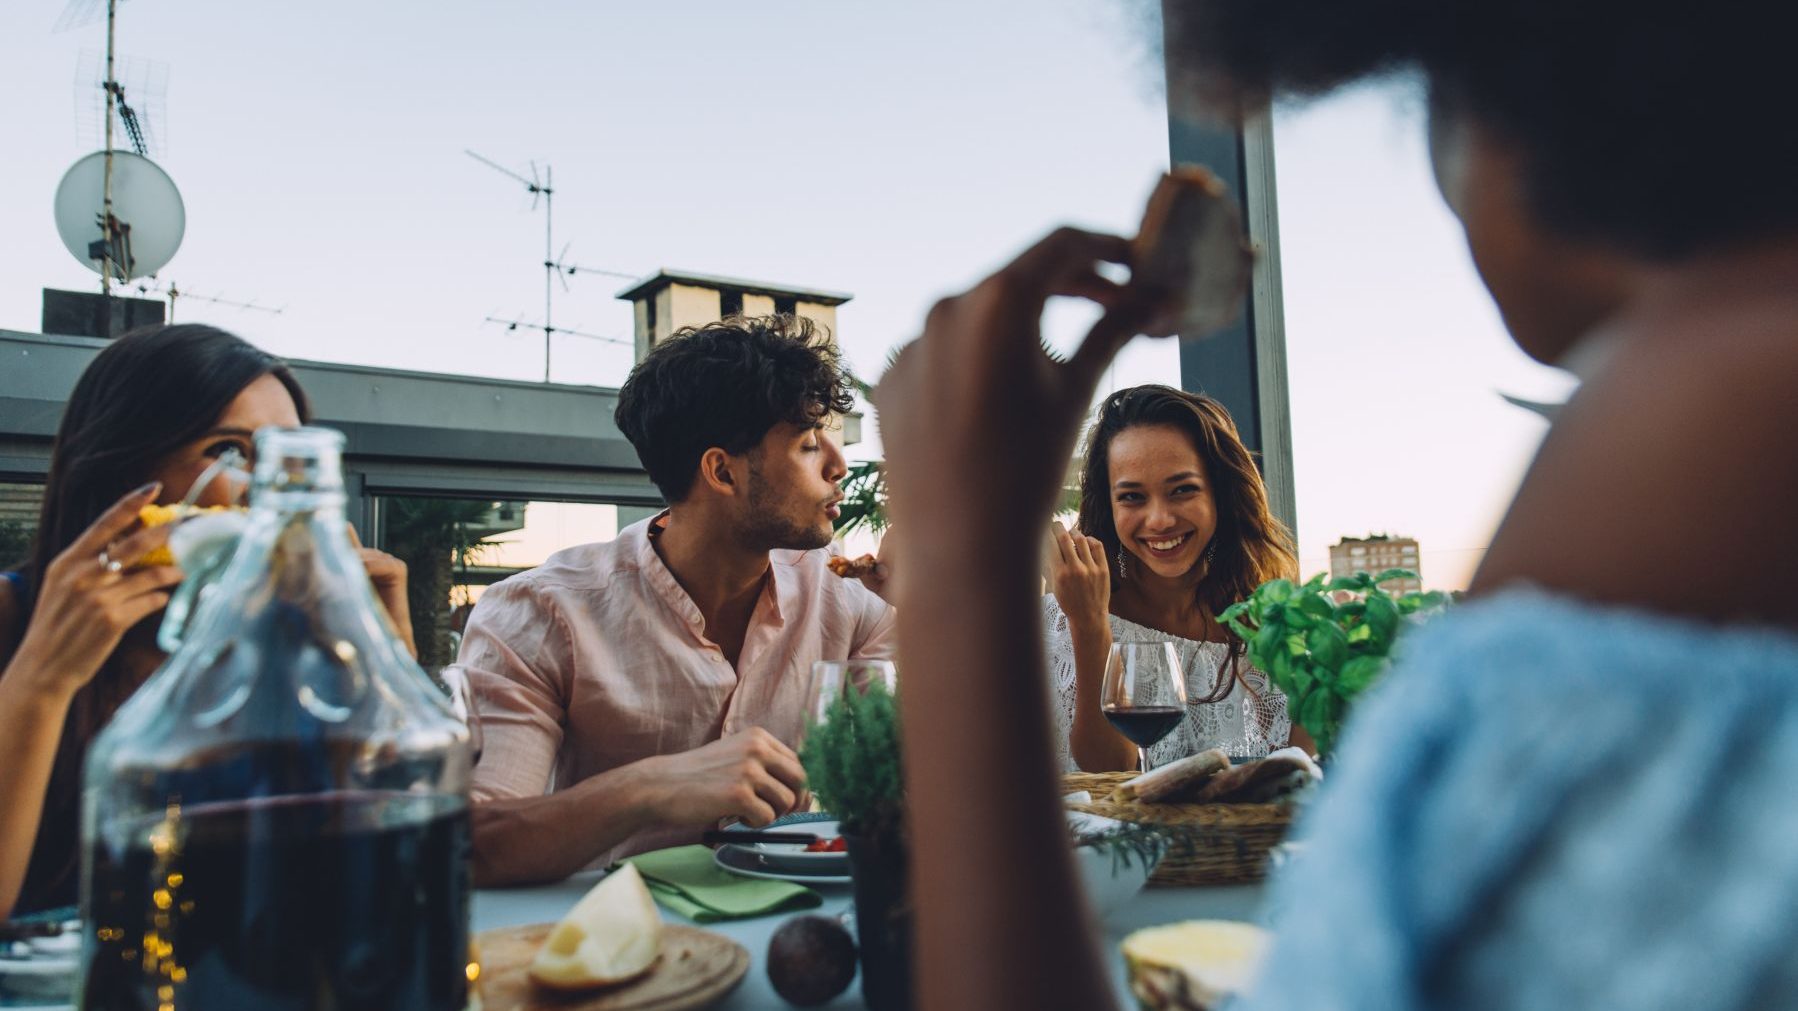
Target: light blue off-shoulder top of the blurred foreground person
(1556, 805)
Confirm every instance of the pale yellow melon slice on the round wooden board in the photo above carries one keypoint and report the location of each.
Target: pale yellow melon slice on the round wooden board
(614, 935)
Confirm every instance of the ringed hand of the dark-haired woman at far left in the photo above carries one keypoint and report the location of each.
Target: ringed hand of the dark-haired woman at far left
(91, 598)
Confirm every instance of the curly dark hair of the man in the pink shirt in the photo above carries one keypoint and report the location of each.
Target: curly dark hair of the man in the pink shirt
(725, 386)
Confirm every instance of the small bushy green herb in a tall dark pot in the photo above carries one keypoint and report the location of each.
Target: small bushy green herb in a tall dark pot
(853, 767)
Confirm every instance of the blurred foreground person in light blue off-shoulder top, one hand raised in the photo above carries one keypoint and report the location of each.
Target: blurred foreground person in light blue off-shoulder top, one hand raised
(1576, 792)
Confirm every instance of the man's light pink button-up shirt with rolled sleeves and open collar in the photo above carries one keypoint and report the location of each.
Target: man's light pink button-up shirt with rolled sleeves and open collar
(598, 659)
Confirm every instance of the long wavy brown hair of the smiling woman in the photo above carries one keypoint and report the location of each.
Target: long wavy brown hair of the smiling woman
(1252, 544)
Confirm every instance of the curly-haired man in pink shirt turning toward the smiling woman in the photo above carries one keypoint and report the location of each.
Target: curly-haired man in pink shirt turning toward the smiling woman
(636, 693)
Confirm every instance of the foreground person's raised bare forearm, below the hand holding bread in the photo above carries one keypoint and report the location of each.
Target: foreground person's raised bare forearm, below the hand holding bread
(986, 819)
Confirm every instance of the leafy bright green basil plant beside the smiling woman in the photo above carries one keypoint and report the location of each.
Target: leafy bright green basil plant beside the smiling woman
(1326, 641)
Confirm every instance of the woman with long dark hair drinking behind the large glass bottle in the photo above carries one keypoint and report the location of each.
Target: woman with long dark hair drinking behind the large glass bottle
(78, 622)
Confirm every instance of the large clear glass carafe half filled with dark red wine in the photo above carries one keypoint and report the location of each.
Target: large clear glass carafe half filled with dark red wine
(280, 818)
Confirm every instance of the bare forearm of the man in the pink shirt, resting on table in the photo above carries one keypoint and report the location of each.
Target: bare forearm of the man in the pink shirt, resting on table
(524, 841)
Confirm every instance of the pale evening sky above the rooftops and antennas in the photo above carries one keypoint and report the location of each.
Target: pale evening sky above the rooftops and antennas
(895, 152)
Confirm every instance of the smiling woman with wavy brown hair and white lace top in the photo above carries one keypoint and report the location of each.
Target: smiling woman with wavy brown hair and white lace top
(1173, 530)
